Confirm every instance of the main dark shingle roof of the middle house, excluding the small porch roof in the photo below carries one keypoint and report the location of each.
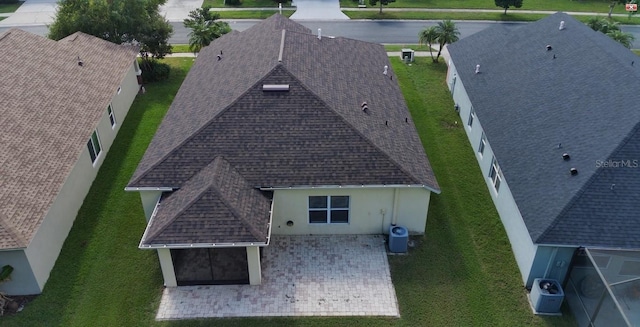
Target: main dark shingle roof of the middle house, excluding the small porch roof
(317, 132)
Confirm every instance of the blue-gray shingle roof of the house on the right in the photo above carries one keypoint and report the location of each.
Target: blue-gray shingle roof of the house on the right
(582, 94)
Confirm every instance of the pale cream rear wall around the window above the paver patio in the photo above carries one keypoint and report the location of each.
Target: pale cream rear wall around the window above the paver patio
(371, 210)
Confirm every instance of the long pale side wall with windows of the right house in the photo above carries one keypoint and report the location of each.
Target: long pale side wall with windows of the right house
(523, 248)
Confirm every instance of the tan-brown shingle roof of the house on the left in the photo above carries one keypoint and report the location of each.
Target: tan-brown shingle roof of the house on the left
(49, 108)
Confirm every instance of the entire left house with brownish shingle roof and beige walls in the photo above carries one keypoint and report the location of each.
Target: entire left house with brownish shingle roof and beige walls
(62, 104)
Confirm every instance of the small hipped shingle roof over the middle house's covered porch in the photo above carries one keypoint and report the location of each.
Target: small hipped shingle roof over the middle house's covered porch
(215, 206)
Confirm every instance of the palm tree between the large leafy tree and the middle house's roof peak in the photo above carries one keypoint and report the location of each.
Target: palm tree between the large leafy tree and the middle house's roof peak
(204, 28)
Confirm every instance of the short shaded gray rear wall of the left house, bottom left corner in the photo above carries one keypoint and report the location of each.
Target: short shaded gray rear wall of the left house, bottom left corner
(22, 279)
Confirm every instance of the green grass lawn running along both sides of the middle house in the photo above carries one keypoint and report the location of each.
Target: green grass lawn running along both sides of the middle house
(461, 273)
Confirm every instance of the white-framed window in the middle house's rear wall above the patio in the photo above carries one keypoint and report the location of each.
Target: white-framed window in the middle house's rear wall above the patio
(329, 209)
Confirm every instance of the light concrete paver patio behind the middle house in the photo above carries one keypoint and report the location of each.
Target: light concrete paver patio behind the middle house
(333, 275)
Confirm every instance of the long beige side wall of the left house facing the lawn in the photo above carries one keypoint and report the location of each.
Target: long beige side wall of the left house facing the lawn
(47, 242)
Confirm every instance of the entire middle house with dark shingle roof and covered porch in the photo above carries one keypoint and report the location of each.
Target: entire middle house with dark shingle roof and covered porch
(278, 131)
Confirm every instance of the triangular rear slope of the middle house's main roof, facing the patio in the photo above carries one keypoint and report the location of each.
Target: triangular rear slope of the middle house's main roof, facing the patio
(281, 139)
